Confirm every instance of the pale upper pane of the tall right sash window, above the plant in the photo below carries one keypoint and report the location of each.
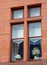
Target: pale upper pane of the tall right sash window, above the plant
(34, 29)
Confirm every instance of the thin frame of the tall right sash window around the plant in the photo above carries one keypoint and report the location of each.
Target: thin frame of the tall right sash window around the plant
(34, 37)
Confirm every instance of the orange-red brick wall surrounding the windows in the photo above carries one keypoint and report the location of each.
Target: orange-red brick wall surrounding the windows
(5, 27)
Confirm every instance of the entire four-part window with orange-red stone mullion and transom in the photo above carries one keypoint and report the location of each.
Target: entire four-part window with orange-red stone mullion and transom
(33, 40)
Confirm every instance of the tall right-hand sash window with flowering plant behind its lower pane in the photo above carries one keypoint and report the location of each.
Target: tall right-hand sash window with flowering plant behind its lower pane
(35, 40)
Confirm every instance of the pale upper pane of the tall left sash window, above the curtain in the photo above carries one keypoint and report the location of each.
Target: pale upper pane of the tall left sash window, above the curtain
(18, 31)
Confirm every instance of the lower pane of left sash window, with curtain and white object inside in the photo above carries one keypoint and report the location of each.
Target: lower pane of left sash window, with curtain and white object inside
(17, 49)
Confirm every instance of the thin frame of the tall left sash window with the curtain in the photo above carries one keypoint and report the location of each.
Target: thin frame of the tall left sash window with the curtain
(16, 39)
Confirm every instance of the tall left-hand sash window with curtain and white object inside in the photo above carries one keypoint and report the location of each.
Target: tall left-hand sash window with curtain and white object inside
(17, 41)
